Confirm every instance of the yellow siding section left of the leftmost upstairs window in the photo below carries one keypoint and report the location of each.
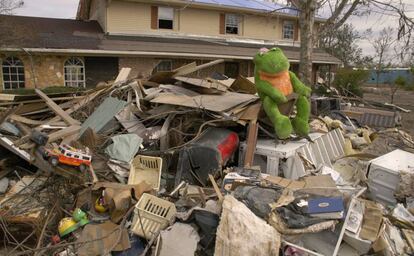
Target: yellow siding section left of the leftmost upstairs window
(128, 17)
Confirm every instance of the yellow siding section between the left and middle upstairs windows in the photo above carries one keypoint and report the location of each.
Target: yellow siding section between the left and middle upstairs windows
(199, 22)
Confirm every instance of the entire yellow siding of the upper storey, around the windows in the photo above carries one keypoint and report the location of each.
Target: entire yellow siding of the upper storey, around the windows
(124, 17)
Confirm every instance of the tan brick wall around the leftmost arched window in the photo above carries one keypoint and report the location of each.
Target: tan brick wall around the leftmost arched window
(40, 70)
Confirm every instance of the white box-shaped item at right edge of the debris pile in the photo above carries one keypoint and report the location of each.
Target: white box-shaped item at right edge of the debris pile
(384, 174)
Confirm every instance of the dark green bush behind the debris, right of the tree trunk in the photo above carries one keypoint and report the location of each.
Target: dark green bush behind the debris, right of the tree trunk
(349, 81)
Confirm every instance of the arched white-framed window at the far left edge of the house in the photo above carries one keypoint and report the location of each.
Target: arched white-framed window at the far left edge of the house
(13, 73)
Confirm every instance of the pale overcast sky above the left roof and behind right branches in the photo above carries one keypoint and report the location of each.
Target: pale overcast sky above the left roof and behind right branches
(67, 9)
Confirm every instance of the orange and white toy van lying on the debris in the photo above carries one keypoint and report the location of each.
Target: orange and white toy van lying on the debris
(68, 155)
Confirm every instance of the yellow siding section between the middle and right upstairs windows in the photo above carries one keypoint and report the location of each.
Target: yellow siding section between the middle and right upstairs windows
(262, 27)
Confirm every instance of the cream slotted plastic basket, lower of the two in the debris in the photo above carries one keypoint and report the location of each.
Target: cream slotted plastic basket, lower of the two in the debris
(151, 215)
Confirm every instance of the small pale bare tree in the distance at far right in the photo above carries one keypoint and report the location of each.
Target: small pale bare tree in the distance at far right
(382, 45)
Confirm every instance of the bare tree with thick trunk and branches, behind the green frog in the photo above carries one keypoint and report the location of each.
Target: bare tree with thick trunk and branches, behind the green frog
(339, 12)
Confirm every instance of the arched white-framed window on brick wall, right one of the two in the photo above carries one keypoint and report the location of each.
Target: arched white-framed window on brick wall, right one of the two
(74, 71)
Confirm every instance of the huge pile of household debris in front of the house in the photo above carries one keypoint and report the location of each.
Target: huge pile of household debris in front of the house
(177, 165)
